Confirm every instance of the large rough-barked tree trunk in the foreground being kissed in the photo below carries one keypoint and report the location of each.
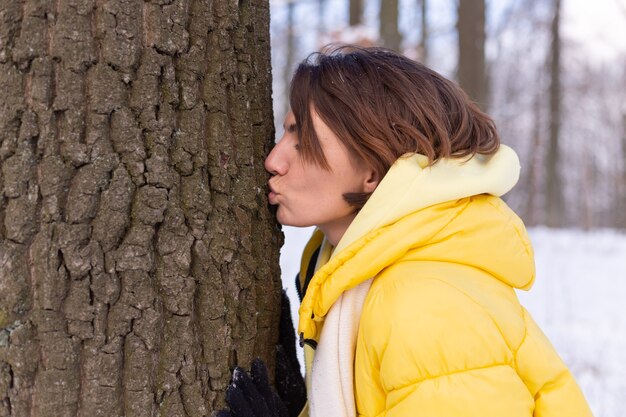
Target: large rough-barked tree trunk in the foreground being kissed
(138, 258)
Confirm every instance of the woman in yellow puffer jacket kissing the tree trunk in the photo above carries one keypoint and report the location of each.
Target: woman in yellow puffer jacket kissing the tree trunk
(412, 309)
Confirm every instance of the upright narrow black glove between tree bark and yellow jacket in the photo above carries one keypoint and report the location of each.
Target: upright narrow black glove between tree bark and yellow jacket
(289, 381)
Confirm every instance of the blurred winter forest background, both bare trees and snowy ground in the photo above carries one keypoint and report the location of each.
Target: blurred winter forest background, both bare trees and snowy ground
(554, 79)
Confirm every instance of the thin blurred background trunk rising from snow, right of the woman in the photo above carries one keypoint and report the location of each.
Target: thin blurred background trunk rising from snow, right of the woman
(554, 184)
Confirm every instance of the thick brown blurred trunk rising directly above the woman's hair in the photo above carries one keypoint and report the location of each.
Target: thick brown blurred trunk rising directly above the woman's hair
(471, 29)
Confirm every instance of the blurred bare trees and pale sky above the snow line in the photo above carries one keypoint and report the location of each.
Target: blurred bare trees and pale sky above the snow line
(551, 73)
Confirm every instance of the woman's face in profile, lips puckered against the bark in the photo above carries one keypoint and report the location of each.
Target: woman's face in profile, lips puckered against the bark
(308, 195)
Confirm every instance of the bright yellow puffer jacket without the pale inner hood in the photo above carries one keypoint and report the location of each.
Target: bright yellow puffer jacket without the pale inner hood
(441, 332)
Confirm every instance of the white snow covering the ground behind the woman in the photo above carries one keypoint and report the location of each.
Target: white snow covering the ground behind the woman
(578, 300)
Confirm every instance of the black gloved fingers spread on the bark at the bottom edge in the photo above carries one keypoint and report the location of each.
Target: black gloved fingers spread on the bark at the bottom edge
(251, 395)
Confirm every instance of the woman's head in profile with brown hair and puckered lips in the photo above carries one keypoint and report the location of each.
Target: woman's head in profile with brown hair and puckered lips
(354, 112)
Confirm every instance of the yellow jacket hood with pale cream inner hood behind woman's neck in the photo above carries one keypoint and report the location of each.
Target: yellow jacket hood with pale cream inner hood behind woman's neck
(422, 212)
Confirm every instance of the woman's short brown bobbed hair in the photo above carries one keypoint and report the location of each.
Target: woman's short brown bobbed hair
(382, 105)
